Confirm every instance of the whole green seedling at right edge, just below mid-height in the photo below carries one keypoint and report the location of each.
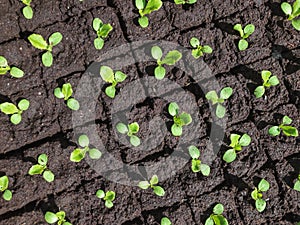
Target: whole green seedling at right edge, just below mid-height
(287, 130)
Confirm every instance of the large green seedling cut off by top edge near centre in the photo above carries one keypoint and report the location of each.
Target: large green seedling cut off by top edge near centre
(145, 9)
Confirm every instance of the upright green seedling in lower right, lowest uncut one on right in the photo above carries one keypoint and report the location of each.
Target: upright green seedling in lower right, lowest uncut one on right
(257, 195)
